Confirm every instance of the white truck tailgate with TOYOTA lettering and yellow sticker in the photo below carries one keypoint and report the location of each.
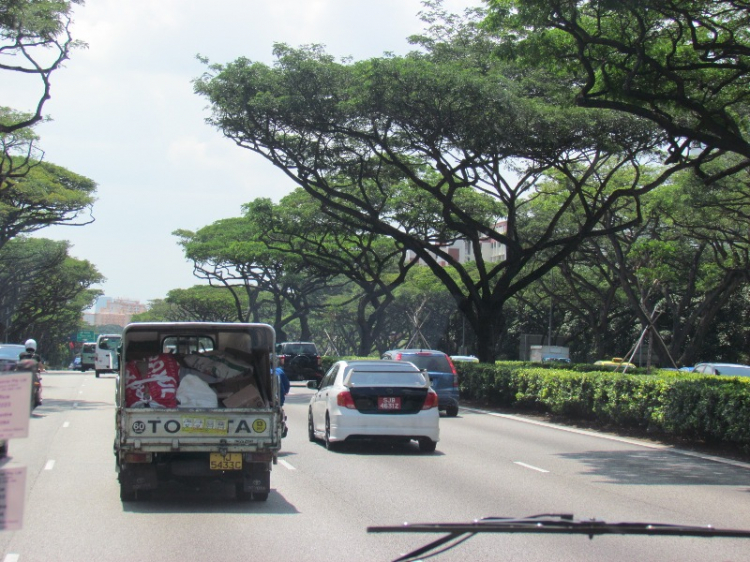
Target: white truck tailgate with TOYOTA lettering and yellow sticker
(166, 430)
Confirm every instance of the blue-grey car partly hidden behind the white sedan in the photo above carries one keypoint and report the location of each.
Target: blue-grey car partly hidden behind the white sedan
(440, 369)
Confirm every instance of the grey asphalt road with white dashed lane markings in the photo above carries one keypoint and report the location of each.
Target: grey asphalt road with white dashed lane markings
(322, 502)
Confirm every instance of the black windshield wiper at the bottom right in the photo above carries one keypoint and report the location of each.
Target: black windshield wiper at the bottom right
(545, 523)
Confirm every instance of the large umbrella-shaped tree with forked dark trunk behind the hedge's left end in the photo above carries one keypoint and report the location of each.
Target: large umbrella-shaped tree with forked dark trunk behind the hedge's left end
(448, 119)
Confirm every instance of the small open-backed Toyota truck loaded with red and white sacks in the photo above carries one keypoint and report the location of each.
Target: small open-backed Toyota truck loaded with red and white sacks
(197, 402)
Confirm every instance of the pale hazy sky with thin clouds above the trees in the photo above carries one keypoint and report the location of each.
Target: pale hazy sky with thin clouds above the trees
(124, 114)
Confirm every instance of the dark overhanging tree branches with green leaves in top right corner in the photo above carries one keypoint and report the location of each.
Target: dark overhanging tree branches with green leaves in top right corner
(683, 64)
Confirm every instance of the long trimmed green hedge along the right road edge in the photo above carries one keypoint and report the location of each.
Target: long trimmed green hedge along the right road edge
(701, 408)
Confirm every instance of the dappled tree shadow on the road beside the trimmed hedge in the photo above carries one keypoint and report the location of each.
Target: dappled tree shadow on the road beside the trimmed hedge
(660, 468)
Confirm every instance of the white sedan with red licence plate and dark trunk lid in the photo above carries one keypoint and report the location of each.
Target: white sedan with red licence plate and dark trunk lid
(389, 400)
